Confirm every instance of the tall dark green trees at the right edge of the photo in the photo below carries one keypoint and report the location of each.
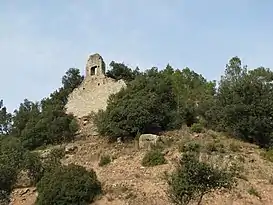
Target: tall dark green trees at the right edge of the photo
(243, 104)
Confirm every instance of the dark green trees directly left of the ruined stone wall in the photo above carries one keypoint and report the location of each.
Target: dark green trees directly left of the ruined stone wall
(46, 122)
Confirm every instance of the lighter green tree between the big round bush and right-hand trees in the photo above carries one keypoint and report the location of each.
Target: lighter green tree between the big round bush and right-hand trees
(192, 92)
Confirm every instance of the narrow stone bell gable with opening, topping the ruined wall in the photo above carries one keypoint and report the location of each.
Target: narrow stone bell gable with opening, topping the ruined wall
(95, 66)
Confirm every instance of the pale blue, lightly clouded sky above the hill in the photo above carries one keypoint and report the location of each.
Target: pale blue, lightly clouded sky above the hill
(41, 40)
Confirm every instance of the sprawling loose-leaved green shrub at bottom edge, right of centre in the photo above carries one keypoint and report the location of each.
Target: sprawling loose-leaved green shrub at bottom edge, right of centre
(194, 179)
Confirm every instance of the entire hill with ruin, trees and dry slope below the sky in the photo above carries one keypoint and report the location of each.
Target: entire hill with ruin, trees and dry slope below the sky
(127, 136)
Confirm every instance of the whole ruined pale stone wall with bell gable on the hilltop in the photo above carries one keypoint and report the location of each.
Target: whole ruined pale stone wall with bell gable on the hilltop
(94, 91)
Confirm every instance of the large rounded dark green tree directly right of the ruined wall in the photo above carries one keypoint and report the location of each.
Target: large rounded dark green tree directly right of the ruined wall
(145, 106)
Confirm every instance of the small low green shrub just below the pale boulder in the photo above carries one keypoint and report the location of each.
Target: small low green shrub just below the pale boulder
(153, 158)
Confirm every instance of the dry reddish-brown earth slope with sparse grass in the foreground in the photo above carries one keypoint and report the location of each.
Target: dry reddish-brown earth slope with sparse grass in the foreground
(126, 182)
